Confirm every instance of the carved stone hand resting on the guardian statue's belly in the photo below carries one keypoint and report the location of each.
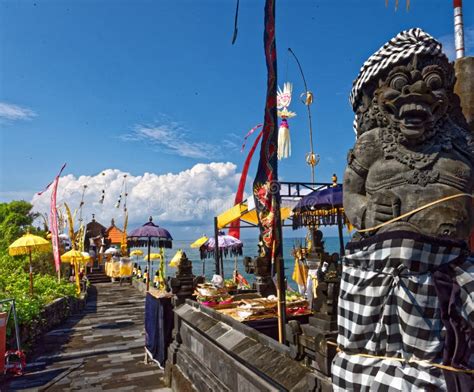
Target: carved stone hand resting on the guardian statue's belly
(382, 207)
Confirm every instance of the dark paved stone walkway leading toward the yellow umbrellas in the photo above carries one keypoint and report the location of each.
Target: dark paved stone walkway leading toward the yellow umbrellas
(98, 350)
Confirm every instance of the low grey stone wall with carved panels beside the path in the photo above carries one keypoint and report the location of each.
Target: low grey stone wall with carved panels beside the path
(213, 352)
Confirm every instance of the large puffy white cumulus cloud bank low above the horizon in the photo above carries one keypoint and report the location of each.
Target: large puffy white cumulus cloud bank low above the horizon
(188, 199)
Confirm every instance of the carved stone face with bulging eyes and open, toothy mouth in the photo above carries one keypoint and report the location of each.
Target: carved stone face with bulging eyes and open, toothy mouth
(414, 99)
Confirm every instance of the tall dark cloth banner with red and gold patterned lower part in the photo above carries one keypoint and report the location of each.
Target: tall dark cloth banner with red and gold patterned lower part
(266, 189)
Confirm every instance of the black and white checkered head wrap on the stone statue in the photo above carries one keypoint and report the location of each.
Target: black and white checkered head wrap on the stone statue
(403, 46)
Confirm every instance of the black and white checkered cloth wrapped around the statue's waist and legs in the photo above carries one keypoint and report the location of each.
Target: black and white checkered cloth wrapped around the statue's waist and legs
(388, 306)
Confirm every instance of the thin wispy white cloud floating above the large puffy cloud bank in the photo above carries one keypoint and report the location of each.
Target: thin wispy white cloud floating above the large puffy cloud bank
(172, 138)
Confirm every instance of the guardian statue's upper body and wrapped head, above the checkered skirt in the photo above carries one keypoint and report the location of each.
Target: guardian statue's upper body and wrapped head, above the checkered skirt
(413, 146)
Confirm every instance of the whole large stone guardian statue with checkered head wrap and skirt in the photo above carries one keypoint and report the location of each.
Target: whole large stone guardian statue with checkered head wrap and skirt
(406, 304)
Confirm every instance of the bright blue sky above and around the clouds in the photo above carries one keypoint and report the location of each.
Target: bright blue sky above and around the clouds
(156, 86)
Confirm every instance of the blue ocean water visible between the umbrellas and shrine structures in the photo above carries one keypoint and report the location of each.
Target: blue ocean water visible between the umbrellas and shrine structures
(250, 249)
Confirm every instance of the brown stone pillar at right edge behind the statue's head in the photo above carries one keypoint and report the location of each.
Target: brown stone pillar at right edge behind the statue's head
(464, 88)
